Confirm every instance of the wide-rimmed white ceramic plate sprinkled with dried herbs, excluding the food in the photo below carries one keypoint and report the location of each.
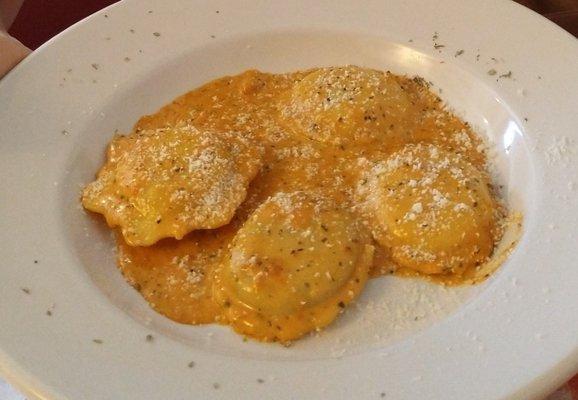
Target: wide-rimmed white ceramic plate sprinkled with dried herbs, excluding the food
(516, 336)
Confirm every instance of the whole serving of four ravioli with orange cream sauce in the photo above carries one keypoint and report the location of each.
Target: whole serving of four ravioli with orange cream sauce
(266, 201)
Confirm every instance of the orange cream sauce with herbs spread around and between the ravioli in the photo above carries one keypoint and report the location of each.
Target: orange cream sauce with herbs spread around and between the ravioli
(177, 277)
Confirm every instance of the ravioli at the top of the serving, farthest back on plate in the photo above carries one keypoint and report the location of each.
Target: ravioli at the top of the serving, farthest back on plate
(349, 106)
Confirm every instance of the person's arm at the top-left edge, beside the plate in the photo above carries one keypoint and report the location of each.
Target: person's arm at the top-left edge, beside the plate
(11, 50)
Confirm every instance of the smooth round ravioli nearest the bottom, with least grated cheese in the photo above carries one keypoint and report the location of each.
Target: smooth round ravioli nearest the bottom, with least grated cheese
(294, 265)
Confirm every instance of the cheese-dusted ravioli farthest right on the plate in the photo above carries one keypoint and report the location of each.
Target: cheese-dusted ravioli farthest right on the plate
(431, 208)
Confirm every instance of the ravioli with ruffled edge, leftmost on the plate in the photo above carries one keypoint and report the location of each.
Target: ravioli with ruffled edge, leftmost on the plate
(168, 182)
